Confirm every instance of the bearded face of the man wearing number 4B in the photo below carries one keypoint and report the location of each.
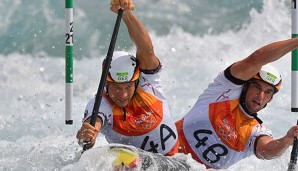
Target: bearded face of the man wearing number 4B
(258, 95)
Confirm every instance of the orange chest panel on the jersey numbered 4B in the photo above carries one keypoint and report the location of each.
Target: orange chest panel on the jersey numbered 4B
(230, 124)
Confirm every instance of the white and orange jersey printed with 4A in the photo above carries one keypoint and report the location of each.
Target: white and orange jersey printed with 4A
(148, 124)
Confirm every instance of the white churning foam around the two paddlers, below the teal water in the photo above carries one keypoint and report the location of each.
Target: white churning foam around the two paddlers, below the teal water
(33, 135)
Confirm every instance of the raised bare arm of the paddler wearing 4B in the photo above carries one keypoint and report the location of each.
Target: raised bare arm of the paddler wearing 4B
(248, 67)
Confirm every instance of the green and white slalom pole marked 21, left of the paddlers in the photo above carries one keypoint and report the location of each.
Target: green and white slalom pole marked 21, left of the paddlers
(68, 61)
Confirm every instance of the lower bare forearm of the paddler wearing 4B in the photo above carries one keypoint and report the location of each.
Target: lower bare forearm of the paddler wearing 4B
(268, 148)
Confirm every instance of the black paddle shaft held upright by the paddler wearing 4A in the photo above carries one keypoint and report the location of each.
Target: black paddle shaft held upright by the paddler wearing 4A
(105, 71)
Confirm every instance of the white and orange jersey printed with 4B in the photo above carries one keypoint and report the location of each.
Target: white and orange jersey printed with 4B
(217, 131)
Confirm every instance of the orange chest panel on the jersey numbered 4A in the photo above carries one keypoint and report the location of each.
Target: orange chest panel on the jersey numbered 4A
(143, 114)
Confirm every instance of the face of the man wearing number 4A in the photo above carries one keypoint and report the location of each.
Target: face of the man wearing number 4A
(121, 93)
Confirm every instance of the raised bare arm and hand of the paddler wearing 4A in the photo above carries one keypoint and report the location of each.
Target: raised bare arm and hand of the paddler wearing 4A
(138, 34)
